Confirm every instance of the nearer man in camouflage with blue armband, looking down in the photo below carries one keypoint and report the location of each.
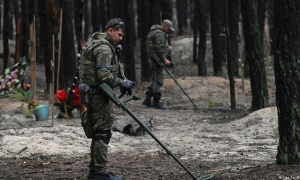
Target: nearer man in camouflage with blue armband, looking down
(99, 63)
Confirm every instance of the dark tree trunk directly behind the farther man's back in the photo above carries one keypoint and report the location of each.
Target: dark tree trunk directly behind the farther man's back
(145, 27)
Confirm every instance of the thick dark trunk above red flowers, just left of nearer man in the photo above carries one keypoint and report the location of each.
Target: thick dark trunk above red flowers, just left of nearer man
(68, 58)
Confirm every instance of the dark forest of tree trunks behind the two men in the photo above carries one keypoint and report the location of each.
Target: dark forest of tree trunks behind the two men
(52, 32)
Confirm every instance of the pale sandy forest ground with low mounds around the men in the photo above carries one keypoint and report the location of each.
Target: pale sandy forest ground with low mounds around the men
(210, 133)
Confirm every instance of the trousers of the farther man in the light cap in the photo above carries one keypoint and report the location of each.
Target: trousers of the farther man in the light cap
(157, 78)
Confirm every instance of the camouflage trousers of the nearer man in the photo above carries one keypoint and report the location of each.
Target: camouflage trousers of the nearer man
(100, 113)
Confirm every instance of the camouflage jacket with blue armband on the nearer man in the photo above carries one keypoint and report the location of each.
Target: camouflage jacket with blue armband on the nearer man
(99, 62)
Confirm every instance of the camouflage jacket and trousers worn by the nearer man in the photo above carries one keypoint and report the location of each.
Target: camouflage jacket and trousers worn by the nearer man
(98, 64)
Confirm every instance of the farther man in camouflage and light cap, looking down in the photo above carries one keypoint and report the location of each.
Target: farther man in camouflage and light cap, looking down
(157, 48)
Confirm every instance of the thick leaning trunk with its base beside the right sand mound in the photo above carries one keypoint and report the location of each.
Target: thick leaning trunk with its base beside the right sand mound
(254, 55)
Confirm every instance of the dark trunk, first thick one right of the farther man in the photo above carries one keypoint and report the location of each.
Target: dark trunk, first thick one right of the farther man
(202, 37)
